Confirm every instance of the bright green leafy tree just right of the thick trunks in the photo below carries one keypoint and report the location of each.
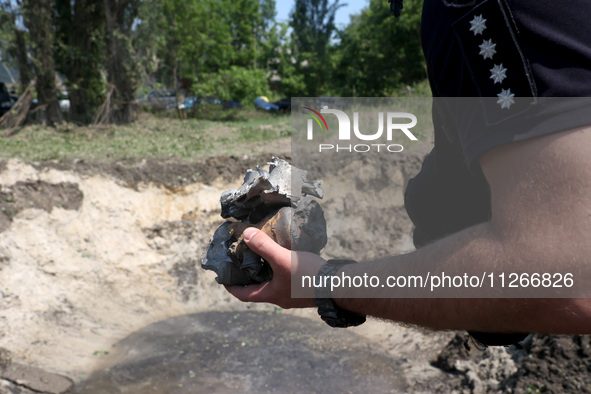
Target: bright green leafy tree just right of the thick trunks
(195, 39)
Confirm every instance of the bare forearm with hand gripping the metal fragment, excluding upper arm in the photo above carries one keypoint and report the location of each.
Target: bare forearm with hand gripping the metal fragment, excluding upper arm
(478, 248)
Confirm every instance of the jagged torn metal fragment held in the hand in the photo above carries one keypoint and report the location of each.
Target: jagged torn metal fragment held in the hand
(277, 202)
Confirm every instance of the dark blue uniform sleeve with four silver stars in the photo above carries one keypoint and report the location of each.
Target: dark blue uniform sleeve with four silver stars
(507, 70)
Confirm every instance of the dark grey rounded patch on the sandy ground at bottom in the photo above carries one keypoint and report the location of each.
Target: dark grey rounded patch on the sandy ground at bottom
(228, 352)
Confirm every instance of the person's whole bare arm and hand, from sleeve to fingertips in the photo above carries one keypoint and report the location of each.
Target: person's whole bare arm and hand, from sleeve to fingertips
(541, 217)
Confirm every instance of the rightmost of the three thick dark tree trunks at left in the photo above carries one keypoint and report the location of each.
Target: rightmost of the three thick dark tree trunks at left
(120, 61)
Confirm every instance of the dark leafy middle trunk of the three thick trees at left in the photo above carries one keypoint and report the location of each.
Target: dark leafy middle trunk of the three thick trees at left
(80, 27)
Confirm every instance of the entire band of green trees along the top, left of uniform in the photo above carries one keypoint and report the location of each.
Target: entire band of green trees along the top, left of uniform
(229, 49)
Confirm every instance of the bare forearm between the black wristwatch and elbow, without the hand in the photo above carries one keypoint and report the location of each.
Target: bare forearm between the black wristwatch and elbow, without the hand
(476, 249)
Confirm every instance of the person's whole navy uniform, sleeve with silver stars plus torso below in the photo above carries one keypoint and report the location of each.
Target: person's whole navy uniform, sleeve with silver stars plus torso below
(501, 71)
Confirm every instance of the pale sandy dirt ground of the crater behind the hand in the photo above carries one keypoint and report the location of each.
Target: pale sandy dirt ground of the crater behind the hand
(102, 292)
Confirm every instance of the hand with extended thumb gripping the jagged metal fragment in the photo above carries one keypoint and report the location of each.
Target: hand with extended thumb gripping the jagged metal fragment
(288, 268)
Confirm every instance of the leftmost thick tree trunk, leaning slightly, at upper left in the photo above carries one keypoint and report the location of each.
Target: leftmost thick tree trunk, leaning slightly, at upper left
(37, 16)
